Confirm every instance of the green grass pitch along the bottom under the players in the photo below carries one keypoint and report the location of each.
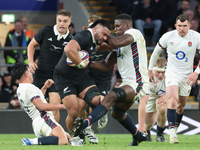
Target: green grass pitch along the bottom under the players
(106, 142)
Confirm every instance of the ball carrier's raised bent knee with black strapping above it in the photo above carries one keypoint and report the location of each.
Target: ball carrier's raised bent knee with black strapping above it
(92, 96)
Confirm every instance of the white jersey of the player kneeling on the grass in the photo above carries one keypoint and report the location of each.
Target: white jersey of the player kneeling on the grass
(27, 92)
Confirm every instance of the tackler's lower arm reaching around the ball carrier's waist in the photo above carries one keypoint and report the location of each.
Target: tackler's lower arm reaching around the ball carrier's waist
(107, 64)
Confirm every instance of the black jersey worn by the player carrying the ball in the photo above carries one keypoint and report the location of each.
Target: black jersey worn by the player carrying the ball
(84, 39)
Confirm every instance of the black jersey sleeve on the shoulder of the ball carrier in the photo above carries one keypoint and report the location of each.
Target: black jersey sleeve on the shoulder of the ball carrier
(83, 38)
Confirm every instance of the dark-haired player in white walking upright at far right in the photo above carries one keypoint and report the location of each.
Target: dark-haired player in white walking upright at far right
(181, 45)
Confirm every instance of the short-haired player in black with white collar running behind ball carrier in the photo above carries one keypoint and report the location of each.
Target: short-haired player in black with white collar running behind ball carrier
(52, 40)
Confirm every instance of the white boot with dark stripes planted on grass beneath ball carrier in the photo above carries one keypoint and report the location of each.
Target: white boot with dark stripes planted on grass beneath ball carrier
(90, 134)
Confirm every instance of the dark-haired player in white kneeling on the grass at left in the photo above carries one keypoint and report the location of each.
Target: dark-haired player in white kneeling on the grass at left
(47, 130)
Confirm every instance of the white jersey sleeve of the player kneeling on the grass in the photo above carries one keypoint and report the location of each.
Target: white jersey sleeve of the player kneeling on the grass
(31, 93)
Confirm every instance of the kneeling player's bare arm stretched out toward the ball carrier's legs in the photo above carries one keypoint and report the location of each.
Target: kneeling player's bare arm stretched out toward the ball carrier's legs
(46, 106)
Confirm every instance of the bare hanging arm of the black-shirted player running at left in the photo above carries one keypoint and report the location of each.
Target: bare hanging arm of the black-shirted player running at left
(30, 54)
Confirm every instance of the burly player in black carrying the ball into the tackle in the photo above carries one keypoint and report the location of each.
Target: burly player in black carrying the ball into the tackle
(73, 82)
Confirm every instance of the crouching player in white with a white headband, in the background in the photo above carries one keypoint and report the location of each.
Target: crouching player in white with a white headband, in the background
(156, 108)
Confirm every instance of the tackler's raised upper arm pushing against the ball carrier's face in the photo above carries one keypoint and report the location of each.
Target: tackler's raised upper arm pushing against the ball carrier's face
(119, 41)
